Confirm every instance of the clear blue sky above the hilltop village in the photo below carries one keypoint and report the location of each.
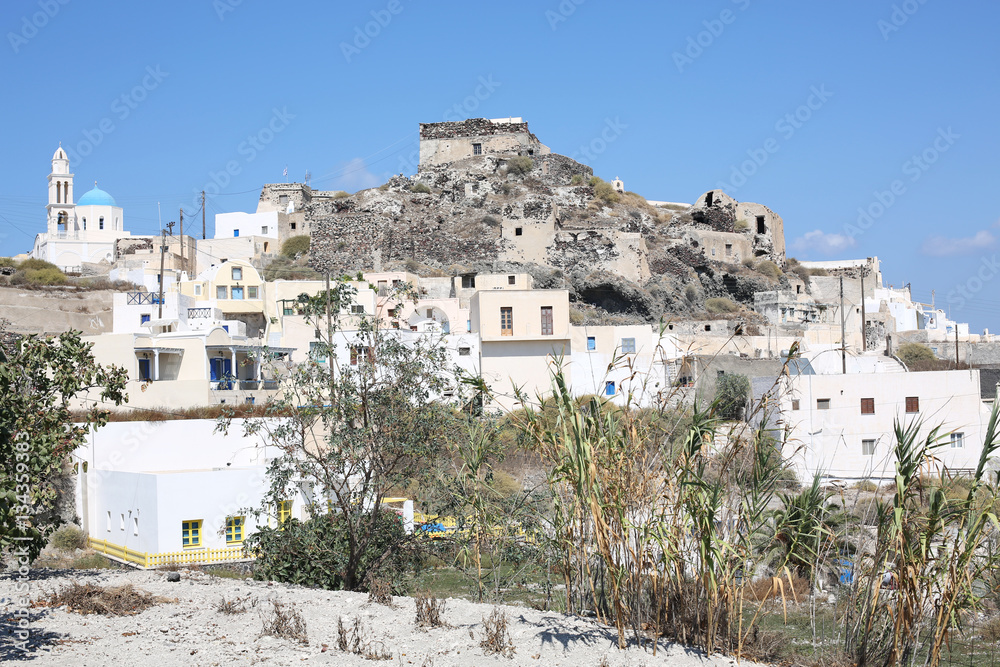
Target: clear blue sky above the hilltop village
(821, 111)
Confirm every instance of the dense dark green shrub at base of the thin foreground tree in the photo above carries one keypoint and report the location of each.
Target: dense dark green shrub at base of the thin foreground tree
(314, 553)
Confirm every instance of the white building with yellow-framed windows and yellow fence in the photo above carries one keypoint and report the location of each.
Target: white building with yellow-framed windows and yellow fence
(173, 491)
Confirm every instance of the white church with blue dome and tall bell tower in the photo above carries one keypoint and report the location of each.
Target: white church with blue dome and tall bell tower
(80, 233)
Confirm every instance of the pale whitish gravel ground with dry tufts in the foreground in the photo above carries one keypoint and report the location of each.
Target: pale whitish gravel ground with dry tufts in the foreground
(190, 630)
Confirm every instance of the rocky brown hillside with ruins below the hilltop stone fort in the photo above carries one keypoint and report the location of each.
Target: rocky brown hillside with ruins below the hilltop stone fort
(622, 258)
